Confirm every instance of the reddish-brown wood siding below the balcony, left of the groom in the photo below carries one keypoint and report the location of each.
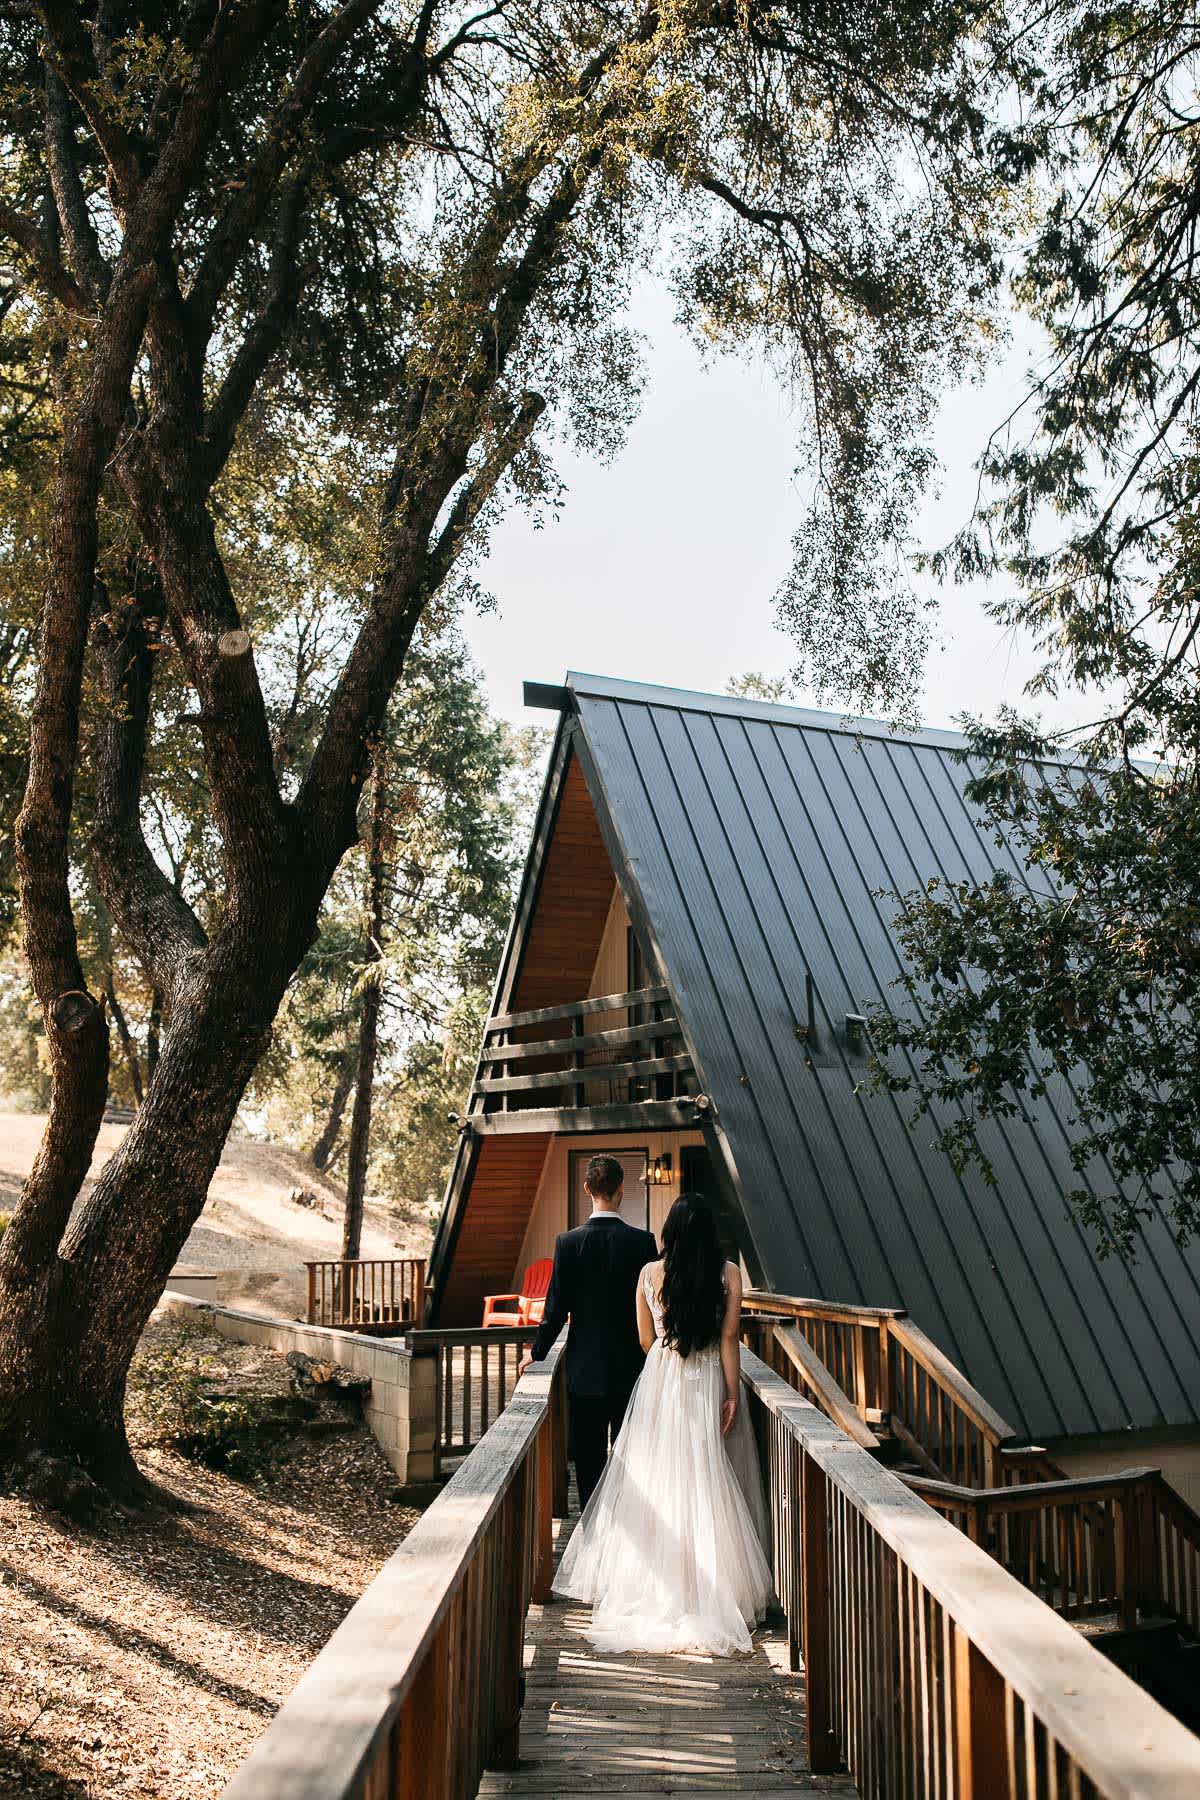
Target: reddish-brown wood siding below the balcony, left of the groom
(503, 1191)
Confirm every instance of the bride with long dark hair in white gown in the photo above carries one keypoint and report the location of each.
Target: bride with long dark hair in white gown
(670, 1547)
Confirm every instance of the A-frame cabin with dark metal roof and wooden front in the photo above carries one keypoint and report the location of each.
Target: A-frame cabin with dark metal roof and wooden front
(701, 935)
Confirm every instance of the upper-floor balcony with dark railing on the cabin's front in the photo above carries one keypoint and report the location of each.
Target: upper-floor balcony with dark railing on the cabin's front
(607, 1063)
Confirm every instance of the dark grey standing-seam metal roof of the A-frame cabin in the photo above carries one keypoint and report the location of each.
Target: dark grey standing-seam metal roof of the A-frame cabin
(753, 843)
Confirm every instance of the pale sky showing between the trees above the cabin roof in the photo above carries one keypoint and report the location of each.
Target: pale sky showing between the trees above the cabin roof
(663, 566)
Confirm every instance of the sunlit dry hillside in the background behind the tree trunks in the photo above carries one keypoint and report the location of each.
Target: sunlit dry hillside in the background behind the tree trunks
(251, 1228)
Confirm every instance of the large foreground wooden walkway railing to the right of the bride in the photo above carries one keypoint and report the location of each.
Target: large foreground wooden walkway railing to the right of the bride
(929, 1671)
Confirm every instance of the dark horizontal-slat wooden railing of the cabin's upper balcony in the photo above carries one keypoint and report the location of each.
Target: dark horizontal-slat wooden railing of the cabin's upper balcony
(649, 1052)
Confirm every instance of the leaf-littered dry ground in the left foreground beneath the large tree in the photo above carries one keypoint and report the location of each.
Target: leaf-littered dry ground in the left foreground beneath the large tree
(141, 1659)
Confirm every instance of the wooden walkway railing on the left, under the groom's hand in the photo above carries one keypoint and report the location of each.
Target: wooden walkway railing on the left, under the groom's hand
(420, 1687)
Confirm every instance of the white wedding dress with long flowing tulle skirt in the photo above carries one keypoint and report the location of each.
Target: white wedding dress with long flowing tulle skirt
(670, 1551)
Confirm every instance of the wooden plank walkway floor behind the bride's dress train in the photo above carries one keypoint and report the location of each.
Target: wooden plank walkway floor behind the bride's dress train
(596, 1723)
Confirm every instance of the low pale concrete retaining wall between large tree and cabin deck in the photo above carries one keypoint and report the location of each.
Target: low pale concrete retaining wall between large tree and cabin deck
(400, 1407)
